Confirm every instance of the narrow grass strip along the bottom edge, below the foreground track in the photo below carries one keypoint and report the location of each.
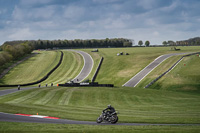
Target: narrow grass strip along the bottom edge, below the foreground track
(7, 127)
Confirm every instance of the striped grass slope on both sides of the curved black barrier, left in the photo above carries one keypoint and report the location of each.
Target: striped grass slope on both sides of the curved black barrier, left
(38, 66)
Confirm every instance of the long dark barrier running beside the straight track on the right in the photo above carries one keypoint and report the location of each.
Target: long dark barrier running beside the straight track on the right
(152, 82)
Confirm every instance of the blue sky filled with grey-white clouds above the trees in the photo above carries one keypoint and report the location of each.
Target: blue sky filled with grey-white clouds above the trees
(152, 20)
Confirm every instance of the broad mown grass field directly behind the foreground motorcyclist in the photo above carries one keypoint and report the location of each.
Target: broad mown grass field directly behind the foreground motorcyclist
(134, 104)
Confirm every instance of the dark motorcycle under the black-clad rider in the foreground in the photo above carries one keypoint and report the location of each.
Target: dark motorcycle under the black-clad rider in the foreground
(112, 118)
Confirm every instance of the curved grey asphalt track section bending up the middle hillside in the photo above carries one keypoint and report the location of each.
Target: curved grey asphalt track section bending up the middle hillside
(87, 68)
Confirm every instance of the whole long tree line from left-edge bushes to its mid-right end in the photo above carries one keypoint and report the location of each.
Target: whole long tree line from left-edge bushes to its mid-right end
(12, 50)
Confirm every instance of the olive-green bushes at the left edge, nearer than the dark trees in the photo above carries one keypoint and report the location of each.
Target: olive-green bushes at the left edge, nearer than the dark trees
(13, 52)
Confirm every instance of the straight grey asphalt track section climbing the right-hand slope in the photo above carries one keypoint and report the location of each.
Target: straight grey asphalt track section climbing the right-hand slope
(143, 73)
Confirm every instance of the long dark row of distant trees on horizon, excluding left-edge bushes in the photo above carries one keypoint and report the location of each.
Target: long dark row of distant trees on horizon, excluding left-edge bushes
(77, 43)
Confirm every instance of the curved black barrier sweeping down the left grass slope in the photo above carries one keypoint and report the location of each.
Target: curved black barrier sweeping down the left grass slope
(44, 78)
